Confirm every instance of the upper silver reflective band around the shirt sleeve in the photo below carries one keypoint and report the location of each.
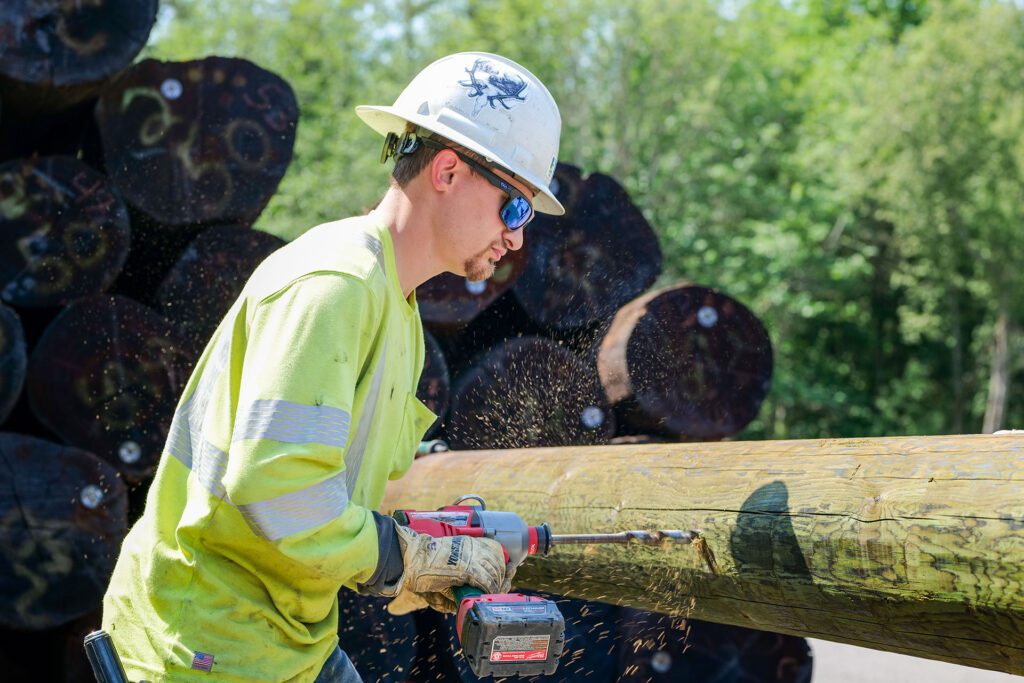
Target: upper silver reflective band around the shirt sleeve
(293, 423)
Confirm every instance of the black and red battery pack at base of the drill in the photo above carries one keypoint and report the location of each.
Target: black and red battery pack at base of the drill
(510, 634)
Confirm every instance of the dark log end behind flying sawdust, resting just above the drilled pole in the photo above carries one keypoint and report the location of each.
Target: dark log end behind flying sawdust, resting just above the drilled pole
(529, 392)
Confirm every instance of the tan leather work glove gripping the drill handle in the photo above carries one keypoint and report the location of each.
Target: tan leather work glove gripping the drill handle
(435, 567)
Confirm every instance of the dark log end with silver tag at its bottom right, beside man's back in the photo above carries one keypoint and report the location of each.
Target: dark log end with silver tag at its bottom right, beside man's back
(106, 376)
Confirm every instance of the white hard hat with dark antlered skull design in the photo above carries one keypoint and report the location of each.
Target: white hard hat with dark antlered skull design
(486, 104)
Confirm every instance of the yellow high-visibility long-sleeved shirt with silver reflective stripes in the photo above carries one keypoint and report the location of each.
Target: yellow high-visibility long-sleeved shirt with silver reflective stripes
(302, 408)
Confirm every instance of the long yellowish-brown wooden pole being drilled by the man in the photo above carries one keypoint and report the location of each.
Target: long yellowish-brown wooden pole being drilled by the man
(912, 545)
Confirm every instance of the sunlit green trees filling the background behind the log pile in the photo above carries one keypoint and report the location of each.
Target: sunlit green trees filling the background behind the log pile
(852, 170)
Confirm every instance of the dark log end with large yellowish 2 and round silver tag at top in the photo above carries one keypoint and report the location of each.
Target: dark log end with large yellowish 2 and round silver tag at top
(204, 142)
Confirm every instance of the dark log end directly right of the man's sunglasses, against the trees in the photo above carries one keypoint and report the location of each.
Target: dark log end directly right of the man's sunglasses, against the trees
(585, 266)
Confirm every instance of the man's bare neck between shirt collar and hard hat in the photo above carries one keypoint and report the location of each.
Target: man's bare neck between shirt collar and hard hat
(412, 237)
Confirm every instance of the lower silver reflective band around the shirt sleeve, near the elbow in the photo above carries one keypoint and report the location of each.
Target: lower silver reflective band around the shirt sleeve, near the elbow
(300, 510)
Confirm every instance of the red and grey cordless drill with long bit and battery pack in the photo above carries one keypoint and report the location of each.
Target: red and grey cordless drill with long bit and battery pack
(511, 634)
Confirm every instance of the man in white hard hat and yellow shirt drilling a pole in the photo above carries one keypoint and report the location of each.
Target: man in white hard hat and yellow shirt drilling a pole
(304, 406)
